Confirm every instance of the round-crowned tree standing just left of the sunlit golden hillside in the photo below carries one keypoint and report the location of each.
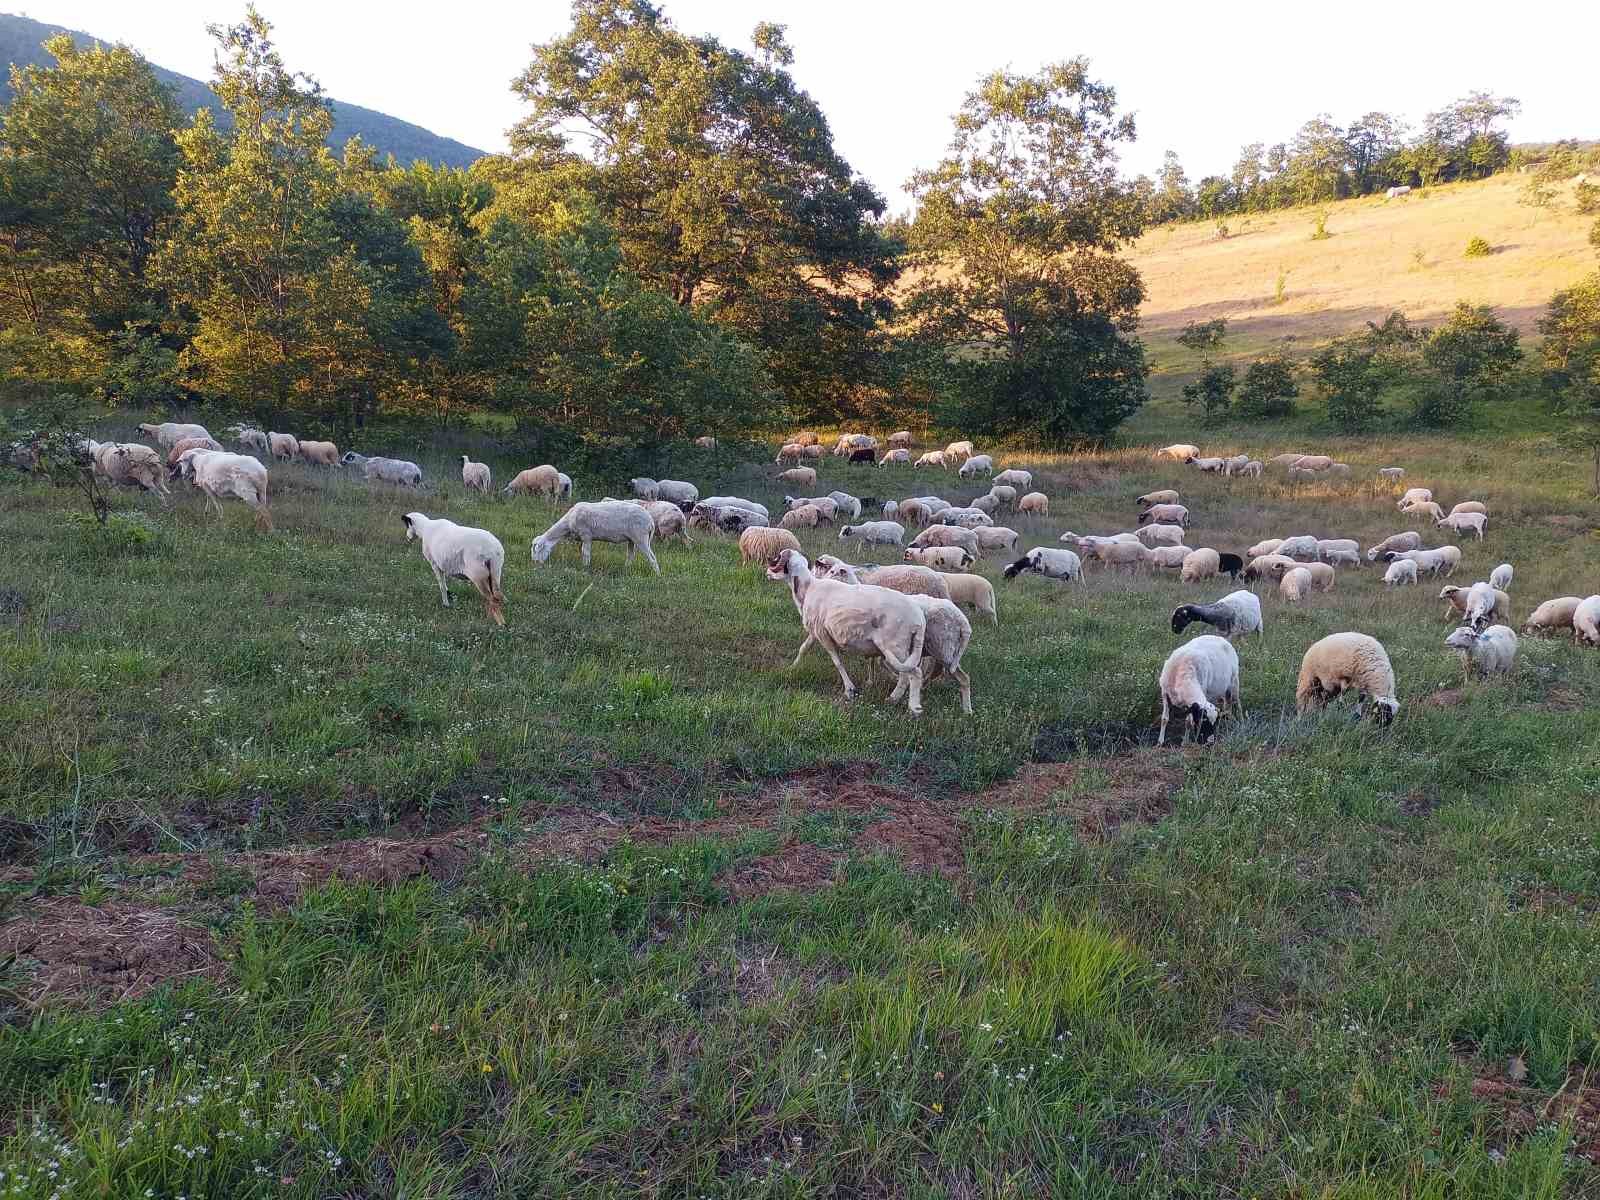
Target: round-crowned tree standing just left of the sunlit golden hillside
(1022, 290)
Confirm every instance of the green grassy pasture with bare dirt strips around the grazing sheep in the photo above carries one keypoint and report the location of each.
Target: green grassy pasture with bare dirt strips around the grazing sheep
(321, 889)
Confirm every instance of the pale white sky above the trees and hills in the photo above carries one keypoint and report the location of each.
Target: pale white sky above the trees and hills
(1202, 79)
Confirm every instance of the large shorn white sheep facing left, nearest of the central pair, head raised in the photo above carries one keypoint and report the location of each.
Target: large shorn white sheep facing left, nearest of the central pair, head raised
(863, 618)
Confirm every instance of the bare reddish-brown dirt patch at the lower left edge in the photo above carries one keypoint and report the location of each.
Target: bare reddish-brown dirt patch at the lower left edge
(73, 951)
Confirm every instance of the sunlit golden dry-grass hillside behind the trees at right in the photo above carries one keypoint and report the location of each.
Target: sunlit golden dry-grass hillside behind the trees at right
(1366, 270)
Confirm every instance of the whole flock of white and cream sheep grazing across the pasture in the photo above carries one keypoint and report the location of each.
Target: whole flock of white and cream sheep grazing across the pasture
(910, 615)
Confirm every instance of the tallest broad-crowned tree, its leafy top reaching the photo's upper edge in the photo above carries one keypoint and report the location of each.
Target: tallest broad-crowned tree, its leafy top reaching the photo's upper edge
(722, 182)
